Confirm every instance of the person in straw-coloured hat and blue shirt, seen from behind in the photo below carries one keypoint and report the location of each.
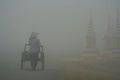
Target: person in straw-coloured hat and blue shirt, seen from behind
(34, 43)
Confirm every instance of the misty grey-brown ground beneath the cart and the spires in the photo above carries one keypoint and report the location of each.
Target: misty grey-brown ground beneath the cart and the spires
(73, 69)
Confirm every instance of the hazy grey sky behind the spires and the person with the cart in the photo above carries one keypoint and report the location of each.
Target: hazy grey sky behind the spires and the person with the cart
(62, 24)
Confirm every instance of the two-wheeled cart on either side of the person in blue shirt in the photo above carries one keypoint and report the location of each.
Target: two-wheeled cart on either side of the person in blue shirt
(26, 56)
